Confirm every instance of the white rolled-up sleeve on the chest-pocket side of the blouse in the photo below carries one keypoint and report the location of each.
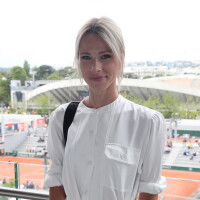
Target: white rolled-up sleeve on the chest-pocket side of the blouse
(151, 180)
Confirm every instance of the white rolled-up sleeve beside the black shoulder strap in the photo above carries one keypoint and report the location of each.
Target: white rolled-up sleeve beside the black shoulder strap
(56, 148)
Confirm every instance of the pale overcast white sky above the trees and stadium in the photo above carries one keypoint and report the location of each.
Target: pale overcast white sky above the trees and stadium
(44, 31)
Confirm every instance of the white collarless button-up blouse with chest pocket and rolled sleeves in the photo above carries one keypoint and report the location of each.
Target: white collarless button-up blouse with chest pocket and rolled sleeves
(112, 152)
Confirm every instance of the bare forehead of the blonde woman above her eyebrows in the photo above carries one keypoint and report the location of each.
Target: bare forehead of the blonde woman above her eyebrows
(93, 42)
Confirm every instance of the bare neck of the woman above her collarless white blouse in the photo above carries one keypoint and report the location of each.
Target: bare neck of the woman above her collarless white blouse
(100, 99)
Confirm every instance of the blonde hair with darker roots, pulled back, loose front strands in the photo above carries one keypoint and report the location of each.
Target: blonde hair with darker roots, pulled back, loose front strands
(109, 32)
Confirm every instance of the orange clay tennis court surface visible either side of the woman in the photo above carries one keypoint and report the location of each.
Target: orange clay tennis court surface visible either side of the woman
(36, 175)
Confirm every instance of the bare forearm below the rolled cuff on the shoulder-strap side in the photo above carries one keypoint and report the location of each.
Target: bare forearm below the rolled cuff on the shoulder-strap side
(57, 193)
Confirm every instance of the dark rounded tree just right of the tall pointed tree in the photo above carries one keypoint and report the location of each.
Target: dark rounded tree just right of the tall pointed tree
(44, 71)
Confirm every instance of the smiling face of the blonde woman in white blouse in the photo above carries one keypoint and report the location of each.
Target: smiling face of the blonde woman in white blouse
(98, 65)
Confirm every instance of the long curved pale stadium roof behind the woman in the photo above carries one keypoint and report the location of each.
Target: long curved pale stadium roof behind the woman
(73, 90)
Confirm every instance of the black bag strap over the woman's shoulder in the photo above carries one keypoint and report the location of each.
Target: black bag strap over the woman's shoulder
(68, 118)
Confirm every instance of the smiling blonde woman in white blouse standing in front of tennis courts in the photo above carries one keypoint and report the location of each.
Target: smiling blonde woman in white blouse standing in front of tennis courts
(114, 147)
